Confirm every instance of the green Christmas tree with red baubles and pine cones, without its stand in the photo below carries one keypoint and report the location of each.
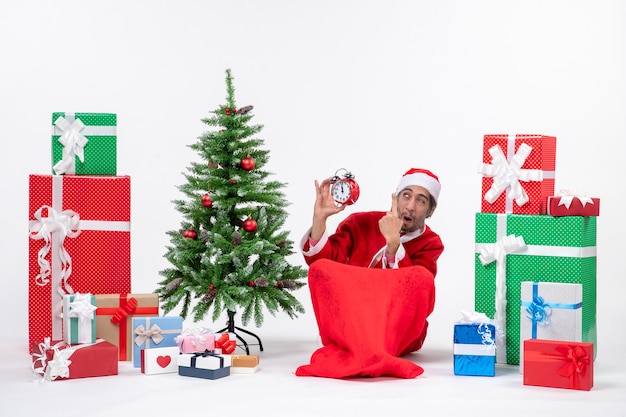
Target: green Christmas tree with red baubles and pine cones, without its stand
(230, 254)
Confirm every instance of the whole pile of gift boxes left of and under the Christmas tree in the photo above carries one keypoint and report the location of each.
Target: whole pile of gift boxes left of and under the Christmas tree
(83, 318)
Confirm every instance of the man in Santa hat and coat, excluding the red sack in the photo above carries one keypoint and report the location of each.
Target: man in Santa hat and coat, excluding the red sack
(392, 239)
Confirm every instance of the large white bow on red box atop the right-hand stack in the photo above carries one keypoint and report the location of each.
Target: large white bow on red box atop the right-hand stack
(507, 175)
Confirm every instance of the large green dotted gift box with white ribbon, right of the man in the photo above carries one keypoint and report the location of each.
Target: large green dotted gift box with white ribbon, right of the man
(513, 248)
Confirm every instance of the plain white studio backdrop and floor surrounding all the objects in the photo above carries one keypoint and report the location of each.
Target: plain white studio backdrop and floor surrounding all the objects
(376, 87)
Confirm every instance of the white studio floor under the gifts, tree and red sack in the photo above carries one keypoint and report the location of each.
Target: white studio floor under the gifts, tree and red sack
(275, 390)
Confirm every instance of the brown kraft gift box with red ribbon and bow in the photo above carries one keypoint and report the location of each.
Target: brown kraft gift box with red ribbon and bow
(114, 318)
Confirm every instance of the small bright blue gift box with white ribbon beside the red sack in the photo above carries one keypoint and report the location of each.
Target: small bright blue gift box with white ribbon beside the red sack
(474, 349)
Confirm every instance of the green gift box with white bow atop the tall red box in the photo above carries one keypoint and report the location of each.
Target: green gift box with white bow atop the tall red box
(84, 143)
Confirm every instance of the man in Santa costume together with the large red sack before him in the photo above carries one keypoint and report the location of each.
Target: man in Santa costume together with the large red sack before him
(396, 240)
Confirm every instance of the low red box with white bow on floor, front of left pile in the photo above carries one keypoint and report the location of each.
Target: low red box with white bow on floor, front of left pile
(57, 360)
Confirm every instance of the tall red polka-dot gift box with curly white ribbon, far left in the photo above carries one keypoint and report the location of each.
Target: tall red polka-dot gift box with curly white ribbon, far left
(79, 242)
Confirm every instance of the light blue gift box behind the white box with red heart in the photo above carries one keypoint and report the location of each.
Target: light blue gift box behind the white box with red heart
(151, 332)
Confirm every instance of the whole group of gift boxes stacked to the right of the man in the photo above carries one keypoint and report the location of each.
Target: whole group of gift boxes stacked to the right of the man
(535, 266)
